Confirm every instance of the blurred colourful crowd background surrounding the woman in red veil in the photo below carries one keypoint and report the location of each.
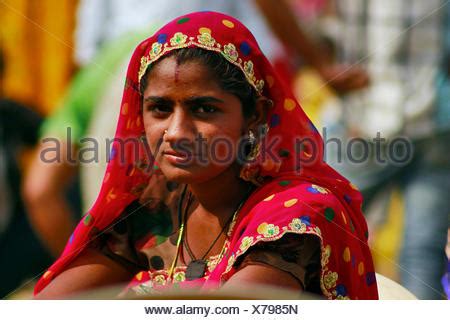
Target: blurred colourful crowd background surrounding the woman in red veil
(362, 70)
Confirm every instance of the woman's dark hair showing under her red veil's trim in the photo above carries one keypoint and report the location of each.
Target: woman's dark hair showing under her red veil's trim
(230, 78)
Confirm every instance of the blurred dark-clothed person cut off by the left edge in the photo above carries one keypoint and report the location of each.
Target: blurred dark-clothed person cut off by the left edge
(21, 253)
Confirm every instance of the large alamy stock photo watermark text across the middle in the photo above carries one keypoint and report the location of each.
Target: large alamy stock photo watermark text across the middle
(221, 150)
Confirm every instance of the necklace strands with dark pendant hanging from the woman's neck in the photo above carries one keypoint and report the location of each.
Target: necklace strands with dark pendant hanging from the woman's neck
(196, 268)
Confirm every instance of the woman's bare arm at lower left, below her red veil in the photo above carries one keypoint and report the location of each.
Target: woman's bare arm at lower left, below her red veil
(88, 271)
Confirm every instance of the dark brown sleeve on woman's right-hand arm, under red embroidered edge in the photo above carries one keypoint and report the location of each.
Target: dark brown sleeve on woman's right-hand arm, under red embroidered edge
(297, 255)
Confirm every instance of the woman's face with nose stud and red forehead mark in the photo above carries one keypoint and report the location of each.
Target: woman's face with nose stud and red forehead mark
(193, 126)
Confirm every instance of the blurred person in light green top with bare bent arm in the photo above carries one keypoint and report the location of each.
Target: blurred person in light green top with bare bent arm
(57, 161)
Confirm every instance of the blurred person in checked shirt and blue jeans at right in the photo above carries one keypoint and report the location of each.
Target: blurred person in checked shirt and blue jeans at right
(401, 44)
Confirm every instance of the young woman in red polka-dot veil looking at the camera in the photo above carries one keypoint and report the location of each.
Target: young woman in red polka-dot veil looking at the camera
(227, 186)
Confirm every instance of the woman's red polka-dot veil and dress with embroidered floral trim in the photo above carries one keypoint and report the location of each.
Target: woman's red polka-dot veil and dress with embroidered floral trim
(302, 216)
